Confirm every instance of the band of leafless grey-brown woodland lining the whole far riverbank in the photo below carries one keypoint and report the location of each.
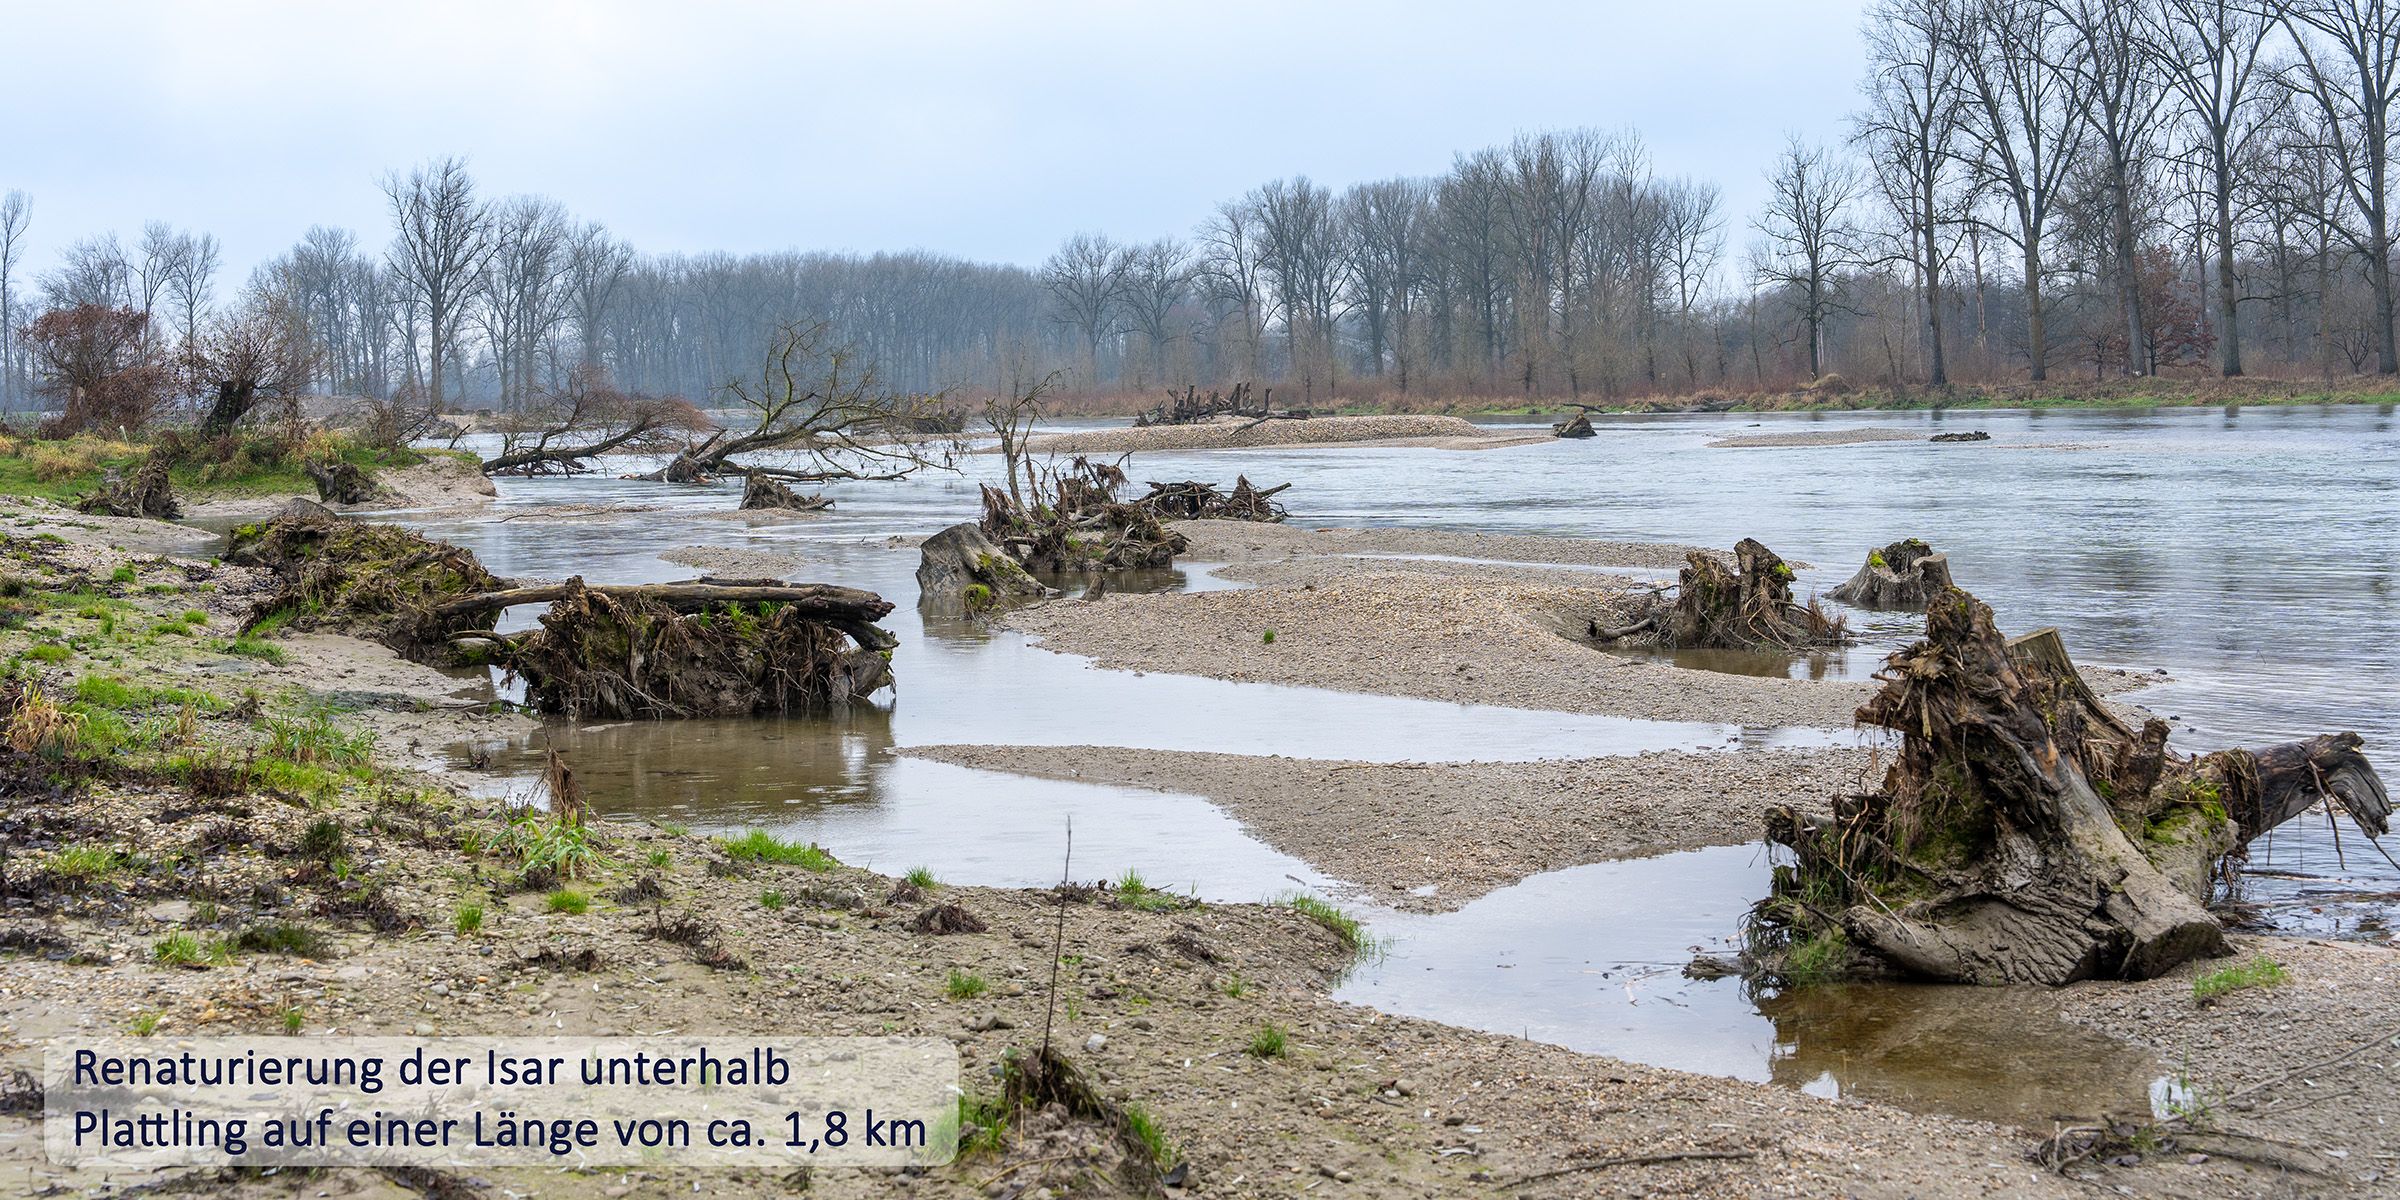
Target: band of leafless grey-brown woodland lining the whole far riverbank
(2032, 191)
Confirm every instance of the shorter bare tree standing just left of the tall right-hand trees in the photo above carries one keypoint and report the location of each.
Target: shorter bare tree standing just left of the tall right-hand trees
(1811, 239)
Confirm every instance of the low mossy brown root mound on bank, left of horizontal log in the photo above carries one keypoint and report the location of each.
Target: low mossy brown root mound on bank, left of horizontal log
(361, 580)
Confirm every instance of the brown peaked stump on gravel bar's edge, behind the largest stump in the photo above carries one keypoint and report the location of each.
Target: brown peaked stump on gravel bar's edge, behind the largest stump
(1744, 606)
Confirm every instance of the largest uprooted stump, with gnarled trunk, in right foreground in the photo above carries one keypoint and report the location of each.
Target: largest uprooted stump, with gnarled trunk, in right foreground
(2024, 834)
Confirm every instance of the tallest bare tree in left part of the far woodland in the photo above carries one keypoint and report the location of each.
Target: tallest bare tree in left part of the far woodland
(443, 239)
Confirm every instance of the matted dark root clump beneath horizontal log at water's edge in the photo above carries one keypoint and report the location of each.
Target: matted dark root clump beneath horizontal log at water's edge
(632, 654)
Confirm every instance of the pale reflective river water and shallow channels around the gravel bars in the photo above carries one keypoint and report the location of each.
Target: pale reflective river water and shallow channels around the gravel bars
(2152, 539)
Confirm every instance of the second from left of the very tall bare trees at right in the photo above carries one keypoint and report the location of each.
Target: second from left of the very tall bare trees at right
(2024, 133)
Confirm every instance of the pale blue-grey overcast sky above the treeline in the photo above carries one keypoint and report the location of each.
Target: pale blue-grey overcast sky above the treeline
(983, 128)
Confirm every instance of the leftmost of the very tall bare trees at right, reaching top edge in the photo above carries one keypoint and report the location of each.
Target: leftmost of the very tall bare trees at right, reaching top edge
(1912, 136)
